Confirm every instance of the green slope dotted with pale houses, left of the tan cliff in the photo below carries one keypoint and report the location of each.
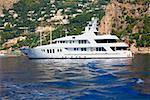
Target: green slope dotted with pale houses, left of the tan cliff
(66, 16)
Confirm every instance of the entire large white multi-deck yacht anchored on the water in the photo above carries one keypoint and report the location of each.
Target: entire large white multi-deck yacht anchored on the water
(89, 44)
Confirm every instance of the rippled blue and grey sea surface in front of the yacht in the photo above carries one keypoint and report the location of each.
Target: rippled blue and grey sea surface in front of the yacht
(75, 79)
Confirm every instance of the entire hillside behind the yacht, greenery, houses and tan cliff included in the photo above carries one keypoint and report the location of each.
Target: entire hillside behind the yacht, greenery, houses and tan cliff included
(128, 19)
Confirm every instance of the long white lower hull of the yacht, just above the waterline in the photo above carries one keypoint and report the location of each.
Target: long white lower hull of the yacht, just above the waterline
(38, 54)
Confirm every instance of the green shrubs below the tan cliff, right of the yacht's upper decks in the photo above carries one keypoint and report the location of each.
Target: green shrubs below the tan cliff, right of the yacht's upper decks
(142, 38)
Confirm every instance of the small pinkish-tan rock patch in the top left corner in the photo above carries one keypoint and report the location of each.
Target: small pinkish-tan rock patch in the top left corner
(7, 4)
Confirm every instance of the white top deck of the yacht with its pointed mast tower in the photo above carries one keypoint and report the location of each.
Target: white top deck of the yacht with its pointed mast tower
(88, 36)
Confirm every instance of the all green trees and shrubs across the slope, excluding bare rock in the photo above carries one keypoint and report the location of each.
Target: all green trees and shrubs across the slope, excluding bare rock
(30, 11)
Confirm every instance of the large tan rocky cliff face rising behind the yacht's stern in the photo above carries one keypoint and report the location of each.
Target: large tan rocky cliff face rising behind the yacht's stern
(118, 12)
